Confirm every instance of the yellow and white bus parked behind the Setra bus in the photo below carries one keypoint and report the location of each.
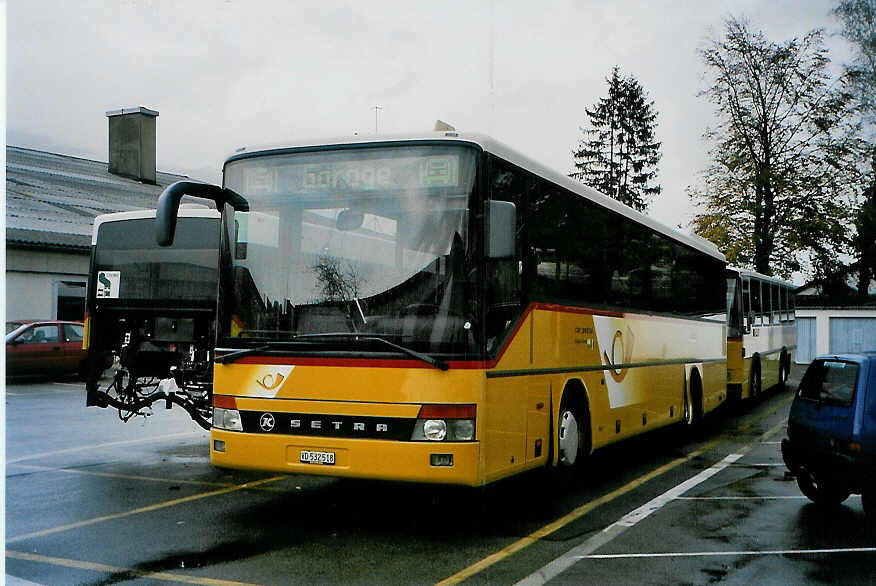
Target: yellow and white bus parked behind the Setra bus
(761, 332)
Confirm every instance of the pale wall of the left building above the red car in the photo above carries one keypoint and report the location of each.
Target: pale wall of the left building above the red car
(33, 278)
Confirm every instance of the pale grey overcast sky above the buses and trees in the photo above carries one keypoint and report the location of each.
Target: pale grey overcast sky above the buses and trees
(229, 73)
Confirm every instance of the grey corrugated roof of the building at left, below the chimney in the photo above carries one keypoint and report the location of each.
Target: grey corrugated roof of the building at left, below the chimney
(52, 199)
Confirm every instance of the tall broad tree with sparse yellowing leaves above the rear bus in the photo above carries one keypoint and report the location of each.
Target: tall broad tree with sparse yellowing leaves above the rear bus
(772, 196)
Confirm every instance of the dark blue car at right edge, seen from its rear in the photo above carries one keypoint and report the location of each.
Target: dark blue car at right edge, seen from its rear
(831, 443)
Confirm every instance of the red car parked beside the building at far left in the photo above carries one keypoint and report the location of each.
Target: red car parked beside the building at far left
(45, 347)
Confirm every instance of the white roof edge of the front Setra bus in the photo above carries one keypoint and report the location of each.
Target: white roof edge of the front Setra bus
(493, 146)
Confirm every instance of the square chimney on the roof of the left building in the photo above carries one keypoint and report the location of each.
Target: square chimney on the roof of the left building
(132, 143)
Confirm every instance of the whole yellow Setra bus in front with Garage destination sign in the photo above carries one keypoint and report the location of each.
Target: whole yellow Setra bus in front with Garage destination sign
(440, 308)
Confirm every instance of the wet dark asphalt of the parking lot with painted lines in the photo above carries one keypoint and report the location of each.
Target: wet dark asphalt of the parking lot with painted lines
(92, 500)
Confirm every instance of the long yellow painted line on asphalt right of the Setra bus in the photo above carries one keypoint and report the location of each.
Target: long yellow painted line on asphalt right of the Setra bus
(524, 542)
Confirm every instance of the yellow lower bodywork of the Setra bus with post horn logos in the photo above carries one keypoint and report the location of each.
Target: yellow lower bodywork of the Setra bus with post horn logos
(634, 369)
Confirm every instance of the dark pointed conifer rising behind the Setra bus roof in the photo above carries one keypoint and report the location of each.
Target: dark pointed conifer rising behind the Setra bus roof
(619, 152)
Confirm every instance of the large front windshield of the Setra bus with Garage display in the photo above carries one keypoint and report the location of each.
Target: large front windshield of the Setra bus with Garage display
(371, 241)
